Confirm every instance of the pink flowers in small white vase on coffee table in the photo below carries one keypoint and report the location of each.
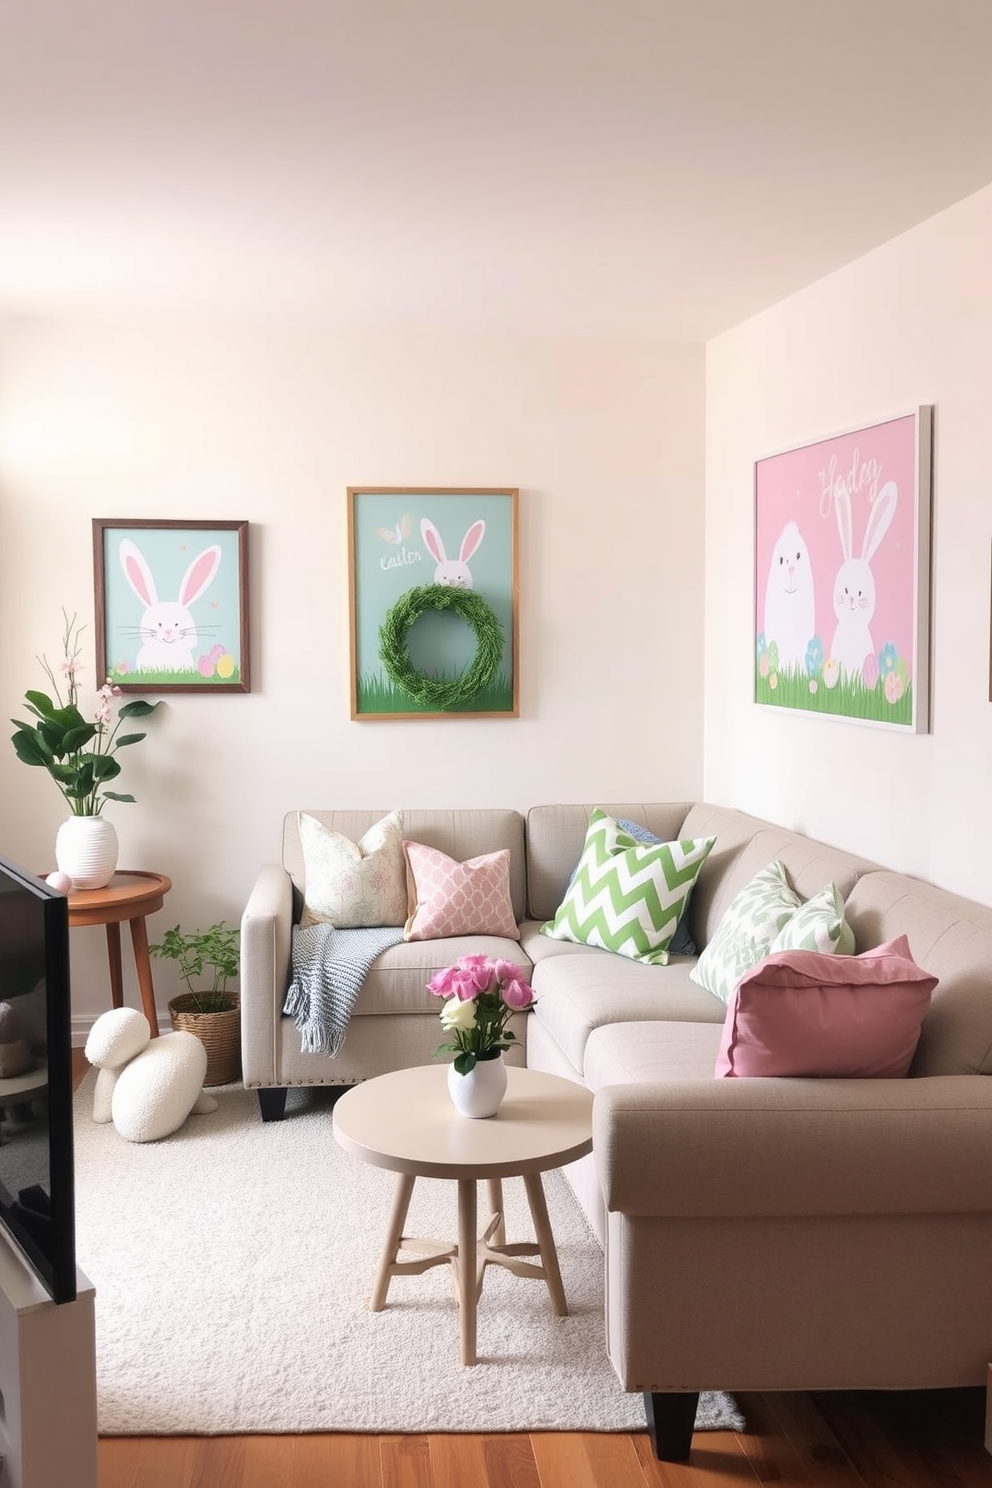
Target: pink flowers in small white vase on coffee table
(481, 996)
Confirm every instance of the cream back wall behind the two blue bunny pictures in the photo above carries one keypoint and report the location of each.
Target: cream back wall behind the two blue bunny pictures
(273, 423)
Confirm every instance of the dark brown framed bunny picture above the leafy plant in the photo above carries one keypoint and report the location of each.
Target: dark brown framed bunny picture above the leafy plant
(172, 605)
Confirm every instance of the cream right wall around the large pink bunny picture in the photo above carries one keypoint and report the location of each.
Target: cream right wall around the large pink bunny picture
(908, 325)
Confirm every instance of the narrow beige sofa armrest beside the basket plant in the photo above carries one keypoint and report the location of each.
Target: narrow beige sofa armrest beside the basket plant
(267, 941)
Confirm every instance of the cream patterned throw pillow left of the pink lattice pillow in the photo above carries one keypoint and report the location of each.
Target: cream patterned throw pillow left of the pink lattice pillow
(355, 885)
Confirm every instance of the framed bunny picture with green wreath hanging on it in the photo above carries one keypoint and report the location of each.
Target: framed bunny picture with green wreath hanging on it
(434, 590)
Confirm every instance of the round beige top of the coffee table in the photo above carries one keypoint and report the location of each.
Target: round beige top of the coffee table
(407, 1121)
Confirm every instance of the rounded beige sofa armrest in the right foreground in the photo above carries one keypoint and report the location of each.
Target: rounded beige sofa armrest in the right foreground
(779, 1148)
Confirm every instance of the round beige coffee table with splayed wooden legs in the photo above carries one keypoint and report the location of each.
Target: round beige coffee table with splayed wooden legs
(407, 1123)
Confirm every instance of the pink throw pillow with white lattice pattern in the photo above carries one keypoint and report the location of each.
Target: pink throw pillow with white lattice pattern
(451, 898)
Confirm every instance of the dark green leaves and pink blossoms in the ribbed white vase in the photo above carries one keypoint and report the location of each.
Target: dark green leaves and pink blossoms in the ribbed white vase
(78, 755)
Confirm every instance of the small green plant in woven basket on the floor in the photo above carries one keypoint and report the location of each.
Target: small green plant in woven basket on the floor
(207, 961)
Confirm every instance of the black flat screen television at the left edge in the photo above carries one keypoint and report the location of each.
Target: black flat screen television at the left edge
(36, 1080)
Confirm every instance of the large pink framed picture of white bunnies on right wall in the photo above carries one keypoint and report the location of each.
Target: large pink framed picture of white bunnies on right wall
(843, 575)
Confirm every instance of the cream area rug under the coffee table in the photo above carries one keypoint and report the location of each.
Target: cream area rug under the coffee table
(233, 1266)
